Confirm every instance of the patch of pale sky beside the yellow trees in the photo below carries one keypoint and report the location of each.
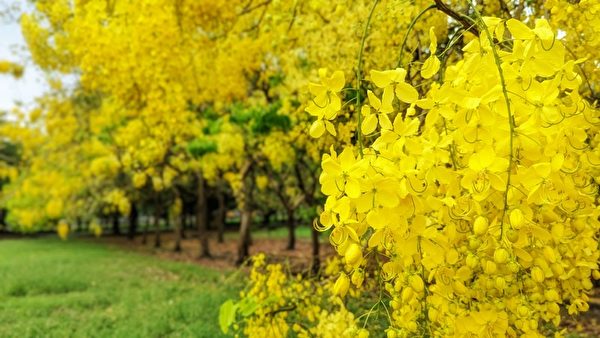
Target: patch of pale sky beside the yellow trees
(13, 48)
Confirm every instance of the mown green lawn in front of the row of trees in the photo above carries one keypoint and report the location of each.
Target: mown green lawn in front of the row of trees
(50, 288)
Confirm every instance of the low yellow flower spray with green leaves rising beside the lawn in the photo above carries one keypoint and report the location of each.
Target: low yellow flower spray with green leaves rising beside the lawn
(277, 304)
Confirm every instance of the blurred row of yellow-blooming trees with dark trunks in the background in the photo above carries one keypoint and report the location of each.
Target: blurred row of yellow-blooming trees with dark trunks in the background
(179, 100)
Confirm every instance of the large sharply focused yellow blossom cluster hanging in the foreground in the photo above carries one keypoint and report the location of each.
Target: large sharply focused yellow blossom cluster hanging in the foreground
(479, 199)
